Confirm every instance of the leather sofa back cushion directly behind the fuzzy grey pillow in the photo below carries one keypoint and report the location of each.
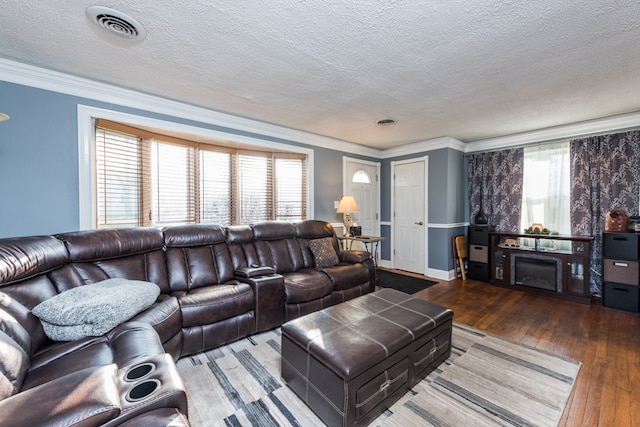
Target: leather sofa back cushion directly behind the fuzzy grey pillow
(127, 253)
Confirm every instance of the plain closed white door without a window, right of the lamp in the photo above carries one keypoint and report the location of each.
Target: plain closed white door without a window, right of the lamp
(409, 216)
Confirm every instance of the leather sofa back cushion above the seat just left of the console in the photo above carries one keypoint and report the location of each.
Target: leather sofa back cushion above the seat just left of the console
(197, 256)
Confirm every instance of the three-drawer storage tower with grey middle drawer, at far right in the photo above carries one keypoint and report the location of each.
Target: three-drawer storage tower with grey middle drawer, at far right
(621, 255)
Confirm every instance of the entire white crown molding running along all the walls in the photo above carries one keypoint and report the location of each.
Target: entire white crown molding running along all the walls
(28, 75)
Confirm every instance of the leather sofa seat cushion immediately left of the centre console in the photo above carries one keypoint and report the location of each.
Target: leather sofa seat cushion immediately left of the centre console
(210, 304)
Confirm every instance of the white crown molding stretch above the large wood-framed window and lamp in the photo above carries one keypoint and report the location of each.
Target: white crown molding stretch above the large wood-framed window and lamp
(28, 75)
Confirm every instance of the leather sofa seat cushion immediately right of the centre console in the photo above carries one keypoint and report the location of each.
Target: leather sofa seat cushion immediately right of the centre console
(305, 285)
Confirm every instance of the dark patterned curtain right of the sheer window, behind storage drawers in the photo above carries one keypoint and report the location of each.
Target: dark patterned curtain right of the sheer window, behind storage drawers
(605, 174)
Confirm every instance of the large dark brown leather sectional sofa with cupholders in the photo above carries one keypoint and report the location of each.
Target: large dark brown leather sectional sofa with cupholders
(217, 284)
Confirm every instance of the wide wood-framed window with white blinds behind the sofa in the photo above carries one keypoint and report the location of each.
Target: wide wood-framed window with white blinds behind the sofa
(147, 178)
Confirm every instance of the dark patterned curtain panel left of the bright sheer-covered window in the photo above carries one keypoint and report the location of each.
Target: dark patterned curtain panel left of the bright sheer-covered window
(495, 185)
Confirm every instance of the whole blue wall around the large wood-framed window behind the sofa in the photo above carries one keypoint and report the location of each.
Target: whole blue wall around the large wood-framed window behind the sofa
(39, 161)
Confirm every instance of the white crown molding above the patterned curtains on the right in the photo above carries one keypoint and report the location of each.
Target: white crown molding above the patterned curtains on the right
(617, 123)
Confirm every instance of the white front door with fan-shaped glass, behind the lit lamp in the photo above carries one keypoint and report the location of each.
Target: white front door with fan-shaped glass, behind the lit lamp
(361, 182)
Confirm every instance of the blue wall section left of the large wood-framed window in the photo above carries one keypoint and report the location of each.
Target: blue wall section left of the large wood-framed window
(38, 162)
